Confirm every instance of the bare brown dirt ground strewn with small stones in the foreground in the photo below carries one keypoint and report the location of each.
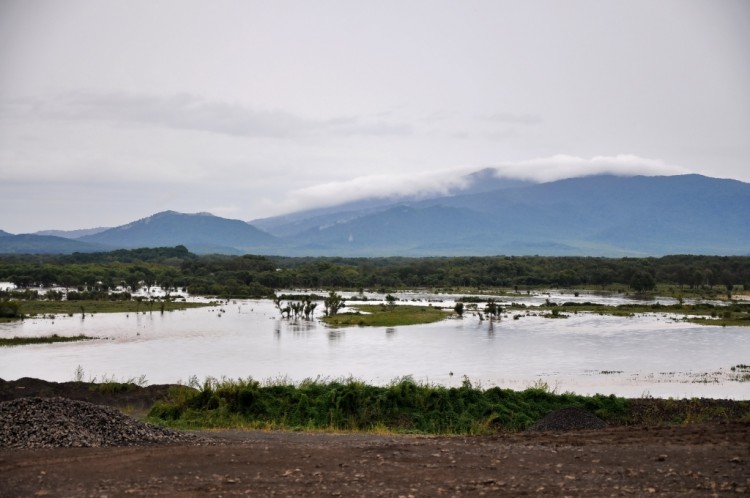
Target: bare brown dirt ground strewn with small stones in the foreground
(698, 460)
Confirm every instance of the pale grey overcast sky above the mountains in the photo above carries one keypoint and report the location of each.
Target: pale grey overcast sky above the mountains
(111, 111)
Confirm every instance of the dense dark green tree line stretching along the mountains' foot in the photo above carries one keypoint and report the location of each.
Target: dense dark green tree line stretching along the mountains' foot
(177, 269)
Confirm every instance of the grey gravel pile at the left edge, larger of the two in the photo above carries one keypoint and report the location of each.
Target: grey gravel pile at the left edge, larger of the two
(61, 422)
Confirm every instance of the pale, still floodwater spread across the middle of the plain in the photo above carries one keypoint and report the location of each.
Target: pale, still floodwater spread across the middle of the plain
(646, 355)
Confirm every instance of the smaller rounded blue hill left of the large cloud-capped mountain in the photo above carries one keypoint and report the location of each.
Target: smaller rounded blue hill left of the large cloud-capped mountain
(201, 233)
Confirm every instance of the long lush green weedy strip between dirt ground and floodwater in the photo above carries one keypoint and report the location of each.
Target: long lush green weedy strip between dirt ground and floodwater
(404, 406)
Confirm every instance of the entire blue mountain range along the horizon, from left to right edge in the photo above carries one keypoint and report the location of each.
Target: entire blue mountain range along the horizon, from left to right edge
(599, 215)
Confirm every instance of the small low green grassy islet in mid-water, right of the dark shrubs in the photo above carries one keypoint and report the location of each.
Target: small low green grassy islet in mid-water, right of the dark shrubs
(383, 316)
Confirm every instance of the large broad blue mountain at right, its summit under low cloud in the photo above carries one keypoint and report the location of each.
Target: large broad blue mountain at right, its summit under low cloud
(598, 215)
